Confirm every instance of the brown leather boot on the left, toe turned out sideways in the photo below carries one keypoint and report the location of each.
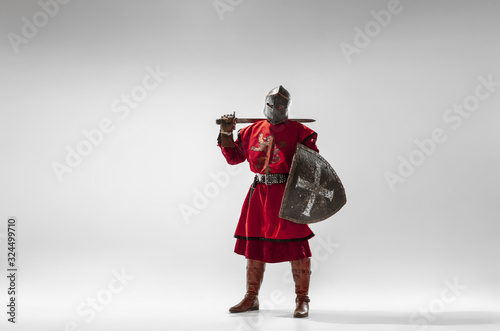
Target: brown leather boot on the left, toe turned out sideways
(255, 274)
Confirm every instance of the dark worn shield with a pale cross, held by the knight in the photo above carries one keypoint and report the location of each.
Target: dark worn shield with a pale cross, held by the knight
(313, 190)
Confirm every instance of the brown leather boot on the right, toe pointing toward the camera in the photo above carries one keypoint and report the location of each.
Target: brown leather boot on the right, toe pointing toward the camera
(301, 271)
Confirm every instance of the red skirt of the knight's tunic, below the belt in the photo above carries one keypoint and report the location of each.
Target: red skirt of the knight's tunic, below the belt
(262, 235)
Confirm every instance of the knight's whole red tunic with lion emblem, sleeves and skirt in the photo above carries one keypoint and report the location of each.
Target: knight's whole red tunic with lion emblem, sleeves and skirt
(260, 233)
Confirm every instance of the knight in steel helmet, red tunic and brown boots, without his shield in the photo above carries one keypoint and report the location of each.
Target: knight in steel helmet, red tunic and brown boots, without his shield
(261, 236)
